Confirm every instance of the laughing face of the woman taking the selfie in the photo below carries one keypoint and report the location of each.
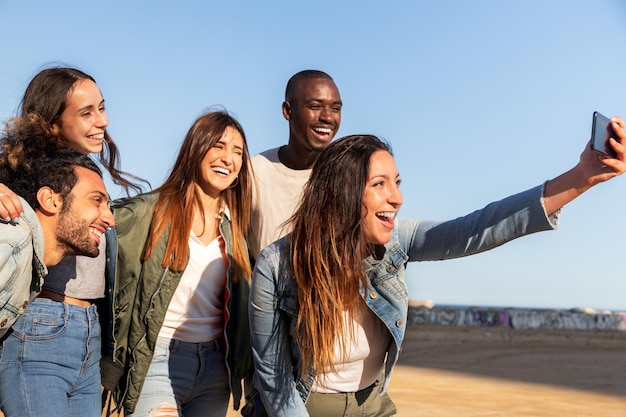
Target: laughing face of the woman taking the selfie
(381, 198)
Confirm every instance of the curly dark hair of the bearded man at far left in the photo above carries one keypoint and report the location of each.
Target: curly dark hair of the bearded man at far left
(31, 157)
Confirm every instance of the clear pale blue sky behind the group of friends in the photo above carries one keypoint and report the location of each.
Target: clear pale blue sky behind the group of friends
(479, 99)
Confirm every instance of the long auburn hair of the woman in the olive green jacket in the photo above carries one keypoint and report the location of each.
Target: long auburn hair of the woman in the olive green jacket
(178, 196)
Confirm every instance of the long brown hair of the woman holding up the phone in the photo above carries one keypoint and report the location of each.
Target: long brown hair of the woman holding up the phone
(327, 248)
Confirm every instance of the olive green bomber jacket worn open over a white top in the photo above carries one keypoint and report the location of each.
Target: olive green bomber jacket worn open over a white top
(143, 291)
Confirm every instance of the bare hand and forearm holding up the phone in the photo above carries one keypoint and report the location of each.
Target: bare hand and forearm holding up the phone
(592, 168)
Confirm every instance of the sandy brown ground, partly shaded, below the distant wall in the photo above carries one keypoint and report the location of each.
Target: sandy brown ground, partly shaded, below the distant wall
(488, 372)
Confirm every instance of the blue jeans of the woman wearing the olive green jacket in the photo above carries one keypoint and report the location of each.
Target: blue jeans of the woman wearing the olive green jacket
(185, 379)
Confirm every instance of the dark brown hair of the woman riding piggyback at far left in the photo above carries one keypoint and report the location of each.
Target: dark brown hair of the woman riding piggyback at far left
(46, 96)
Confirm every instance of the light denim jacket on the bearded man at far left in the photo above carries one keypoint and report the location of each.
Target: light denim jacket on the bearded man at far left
(21, 266)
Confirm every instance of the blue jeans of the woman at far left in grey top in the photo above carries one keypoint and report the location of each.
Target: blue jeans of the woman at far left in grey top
(49, 362)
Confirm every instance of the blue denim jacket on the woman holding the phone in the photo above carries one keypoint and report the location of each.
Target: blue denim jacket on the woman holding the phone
(274, 305)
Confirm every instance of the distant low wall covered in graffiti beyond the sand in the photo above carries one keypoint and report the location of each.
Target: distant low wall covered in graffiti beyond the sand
(517, 318)
